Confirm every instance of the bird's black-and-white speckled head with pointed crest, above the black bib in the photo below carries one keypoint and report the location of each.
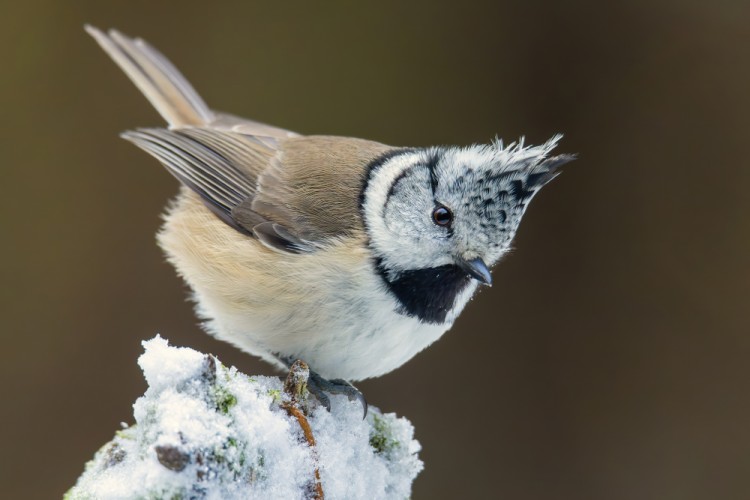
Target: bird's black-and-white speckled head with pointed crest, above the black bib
(452, 209)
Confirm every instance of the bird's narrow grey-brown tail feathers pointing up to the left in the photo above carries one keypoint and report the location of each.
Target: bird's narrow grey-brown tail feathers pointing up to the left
(162, 84)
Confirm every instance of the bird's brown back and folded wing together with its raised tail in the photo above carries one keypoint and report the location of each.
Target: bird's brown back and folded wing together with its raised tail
(291, 192)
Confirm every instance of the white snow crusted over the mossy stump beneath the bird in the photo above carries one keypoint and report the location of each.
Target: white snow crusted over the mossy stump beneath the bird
(203, 430)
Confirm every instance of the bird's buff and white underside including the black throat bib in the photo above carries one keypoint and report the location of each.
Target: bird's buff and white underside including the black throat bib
(330, 307)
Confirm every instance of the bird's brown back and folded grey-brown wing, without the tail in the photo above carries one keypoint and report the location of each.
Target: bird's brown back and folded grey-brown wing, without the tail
(292, 194)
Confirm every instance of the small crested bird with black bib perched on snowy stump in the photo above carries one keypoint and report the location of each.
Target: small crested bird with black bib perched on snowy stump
(346, 253)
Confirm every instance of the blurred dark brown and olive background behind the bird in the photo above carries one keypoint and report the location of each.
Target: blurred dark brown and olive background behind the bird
(609, 361)
